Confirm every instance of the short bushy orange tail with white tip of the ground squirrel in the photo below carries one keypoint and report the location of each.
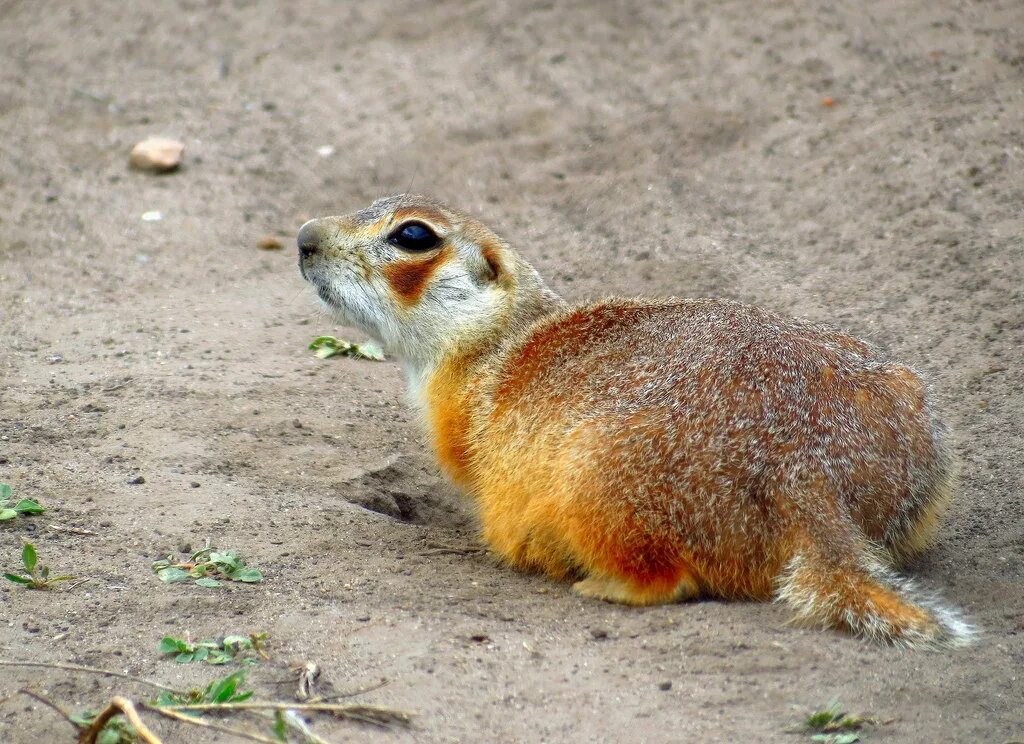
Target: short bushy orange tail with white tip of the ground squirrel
(870, 600)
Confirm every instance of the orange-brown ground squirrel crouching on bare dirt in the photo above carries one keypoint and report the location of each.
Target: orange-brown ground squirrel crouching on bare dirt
(653, 451)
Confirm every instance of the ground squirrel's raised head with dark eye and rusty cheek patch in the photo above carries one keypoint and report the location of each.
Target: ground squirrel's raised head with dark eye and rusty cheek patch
(420, 278)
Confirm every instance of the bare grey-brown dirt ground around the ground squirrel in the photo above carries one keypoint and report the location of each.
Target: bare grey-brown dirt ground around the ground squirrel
(855, 164)
